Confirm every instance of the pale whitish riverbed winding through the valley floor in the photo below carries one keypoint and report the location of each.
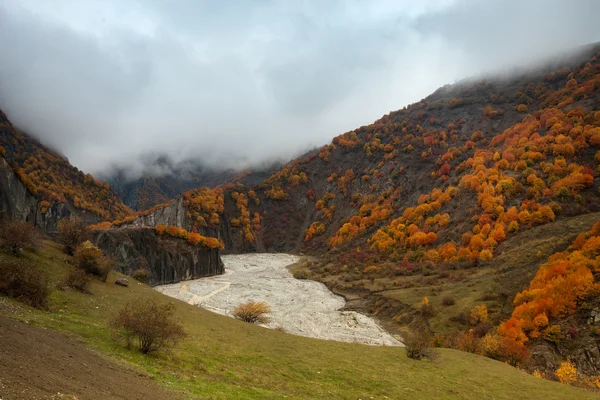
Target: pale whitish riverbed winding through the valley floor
(301, 307)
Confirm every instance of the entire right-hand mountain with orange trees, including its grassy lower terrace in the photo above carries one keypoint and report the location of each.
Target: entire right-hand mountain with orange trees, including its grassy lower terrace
(435, 206)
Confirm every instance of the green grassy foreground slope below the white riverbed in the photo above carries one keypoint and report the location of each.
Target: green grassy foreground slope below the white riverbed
(227, 359)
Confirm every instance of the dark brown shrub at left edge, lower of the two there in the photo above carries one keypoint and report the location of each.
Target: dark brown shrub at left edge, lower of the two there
(22, 281)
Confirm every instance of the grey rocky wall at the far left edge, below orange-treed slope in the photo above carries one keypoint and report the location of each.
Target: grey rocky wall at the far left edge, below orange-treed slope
(18, 203)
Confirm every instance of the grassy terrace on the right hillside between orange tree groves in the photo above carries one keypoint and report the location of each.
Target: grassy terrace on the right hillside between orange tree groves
(516, 262)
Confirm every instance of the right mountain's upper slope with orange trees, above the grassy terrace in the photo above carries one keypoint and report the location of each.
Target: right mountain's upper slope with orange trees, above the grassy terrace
(493, 152)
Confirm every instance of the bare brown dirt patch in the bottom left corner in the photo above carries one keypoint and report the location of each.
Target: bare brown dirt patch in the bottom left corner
(38, 363)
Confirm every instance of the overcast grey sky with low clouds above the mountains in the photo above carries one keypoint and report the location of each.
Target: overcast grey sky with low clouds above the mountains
(234, 82)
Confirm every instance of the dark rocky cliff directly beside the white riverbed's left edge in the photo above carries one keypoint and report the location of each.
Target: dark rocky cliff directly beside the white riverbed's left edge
(167, 260)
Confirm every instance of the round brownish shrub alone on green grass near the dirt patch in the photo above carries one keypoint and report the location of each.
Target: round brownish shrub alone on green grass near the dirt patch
(149, 323)
